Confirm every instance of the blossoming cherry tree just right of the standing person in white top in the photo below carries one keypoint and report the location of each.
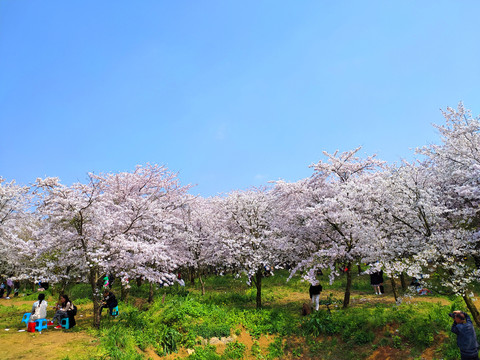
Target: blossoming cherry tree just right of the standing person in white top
(334, 213)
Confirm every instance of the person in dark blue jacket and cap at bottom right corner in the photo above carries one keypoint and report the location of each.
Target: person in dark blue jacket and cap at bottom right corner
(466, 337)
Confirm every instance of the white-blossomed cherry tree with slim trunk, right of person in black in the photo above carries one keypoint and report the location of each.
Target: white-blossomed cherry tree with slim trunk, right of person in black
(404, 214)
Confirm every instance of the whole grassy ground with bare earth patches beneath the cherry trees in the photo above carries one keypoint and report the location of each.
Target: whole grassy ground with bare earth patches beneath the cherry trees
(224, 324)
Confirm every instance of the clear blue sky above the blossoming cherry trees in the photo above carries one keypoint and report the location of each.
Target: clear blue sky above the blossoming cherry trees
(229, 94)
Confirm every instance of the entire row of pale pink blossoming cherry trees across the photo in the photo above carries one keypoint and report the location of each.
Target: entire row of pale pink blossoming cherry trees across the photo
(419, 218)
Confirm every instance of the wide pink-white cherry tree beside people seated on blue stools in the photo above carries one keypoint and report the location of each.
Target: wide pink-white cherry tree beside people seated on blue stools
(119, 223)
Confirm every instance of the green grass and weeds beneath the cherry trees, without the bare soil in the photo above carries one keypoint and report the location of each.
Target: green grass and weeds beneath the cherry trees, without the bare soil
(185, 317)
